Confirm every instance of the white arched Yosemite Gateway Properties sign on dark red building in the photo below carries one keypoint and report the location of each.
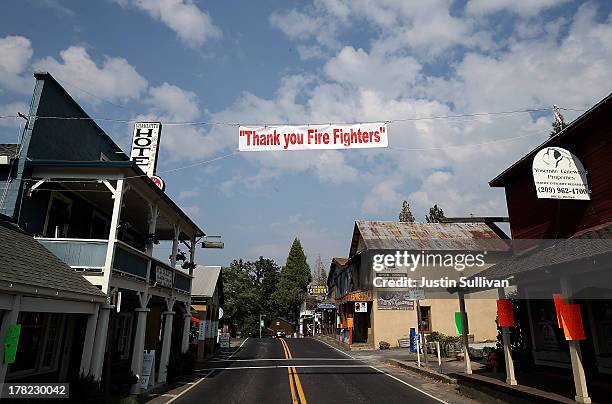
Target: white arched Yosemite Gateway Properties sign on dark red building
(558, 174)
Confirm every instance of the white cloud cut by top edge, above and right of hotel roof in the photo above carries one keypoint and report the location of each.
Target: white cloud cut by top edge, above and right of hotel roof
(191, 24)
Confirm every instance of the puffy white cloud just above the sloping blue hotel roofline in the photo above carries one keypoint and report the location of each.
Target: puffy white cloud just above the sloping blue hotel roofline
(114, 79)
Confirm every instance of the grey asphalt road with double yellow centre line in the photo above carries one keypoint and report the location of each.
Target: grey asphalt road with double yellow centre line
(296, 371)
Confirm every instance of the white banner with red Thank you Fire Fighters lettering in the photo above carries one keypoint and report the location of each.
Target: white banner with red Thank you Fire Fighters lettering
(311, 137)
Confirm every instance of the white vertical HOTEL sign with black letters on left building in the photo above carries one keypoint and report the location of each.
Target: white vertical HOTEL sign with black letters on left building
(145, 146)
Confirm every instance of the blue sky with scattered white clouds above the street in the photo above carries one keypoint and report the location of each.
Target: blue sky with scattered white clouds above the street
(263, 62)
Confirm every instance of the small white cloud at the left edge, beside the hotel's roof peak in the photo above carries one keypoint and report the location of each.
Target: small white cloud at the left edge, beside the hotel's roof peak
(16, 52)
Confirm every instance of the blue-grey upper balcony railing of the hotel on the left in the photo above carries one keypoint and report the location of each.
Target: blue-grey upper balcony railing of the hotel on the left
(89, 255)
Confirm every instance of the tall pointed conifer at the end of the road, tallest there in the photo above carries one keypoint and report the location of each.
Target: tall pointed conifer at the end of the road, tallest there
(293, 282)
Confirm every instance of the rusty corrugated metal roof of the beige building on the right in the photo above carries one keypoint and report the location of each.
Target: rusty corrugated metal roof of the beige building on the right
(425, 236)
